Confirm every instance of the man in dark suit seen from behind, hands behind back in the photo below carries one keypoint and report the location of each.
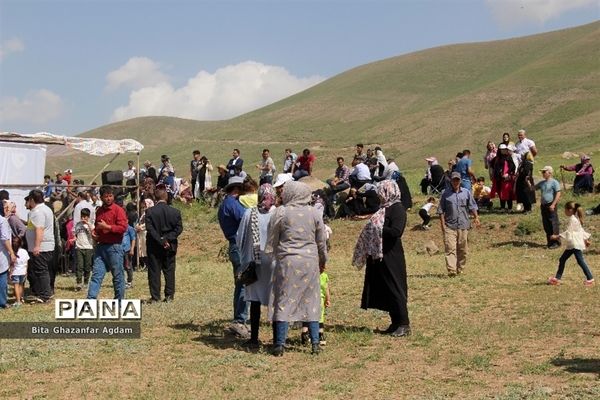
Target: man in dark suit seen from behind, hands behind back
(163, 226)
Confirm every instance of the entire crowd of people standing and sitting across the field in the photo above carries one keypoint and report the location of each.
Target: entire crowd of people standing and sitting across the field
(277, 228)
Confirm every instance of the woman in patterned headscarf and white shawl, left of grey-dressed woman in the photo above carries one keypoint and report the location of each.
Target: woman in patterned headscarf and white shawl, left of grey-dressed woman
(251, 239)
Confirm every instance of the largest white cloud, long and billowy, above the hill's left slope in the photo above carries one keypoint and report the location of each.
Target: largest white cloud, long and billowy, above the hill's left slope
(230, 91)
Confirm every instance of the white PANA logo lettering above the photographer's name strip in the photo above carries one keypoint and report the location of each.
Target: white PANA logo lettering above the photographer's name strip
(97, 309)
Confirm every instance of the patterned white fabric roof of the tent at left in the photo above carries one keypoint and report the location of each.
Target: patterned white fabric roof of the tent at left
(96, 147)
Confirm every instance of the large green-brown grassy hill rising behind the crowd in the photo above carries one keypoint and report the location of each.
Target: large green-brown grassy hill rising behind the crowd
(436, 101)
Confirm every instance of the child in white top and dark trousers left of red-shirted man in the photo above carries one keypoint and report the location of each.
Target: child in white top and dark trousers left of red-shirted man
(84, 248)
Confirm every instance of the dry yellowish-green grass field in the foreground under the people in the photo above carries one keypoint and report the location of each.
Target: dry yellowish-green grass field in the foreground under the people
(498, 332)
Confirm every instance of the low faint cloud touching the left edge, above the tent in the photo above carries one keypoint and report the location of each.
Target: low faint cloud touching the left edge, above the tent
(37, 107)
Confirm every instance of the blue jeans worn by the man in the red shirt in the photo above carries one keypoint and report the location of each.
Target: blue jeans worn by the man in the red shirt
(107, 258)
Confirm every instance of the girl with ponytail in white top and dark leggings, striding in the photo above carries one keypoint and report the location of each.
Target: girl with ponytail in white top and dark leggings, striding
(576, 240)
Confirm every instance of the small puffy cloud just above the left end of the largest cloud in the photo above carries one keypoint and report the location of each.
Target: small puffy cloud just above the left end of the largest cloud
(137, 73)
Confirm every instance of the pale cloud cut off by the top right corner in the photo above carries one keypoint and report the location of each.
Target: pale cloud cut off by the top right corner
(510, 13)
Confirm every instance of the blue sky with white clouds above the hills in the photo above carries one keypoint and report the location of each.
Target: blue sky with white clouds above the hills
(71, 66)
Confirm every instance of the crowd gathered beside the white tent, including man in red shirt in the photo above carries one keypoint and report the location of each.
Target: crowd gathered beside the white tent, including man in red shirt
(87, 231)
